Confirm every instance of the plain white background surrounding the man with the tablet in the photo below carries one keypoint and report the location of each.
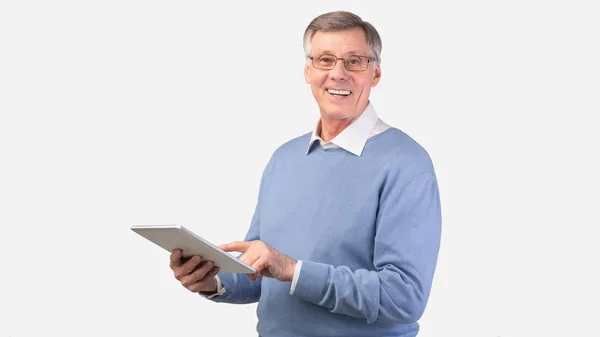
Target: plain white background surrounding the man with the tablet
(121, 112)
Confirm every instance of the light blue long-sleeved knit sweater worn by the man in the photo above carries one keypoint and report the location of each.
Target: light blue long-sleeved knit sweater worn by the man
(367, 230)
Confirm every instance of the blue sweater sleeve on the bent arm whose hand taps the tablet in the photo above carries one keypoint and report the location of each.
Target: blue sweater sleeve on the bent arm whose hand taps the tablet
(406, 245)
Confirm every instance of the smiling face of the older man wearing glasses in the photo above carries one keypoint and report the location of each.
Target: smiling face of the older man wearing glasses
(341, 44)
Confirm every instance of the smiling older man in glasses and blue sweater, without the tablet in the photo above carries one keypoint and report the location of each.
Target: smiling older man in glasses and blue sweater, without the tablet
(346, 231)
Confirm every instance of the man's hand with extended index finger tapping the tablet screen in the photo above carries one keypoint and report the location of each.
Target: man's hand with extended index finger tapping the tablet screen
(266, 260)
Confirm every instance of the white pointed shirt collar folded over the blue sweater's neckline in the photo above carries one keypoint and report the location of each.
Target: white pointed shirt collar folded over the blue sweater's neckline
(354, 137)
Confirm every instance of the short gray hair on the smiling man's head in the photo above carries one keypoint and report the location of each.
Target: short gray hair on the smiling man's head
(341, 20)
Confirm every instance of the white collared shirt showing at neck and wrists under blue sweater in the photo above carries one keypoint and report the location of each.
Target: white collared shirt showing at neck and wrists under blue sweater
(352, 139)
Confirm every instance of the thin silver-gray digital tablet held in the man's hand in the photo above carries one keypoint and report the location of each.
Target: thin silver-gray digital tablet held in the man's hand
(171, 237)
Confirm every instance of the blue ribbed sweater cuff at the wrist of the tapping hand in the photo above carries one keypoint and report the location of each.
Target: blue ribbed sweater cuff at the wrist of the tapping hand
(312, 281)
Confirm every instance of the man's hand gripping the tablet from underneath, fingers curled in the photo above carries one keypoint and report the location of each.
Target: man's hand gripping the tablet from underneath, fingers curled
(192, 275)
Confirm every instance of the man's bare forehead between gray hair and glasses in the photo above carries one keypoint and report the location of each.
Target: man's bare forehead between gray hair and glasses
(342, 42)
